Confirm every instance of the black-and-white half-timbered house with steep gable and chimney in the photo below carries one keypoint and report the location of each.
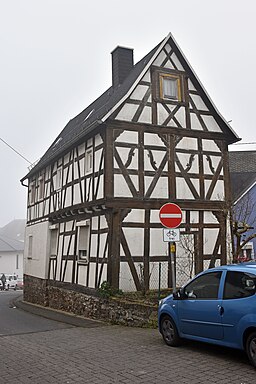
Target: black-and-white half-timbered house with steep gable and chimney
(153, 137)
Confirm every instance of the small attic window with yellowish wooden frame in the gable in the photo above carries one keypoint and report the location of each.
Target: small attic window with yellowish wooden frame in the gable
(170, 87)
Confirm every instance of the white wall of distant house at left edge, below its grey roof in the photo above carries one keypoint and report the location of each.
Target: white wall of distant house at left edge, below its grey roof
(11, 262)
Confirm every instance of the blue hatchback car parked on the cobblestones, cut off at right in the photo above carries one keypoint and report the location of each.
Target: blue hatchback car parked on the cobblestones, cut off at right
(218, 306)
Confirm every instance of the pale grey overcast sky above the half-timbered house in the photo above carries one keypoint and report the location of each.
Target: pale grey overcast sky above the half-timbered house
(55, 60)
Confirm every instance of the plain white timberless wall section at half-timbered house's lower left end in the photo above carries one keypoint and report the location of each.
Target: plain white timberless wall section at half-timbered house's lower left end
(36, 250)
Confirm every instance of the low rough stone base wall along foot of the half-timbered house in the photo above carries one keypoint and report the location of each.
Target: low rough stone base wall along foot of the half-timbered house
(86, 302)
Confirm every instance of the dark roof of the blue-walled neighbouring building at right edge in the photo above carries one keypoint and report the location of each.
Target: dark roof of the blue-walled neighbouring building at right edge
(242, 166)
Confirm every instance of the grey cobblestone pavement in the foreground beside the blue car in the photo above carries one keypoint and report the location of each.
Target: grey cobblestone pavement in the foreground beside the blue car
(114, 354)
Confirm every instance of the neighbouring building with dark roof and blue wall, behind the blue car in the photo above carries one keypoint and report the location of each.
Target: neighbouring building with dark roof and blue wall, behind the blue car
(243, 183)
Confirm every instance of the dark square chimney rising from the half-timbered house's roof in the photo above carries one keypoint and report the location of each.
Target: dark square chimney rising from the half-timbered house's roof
(122, 63)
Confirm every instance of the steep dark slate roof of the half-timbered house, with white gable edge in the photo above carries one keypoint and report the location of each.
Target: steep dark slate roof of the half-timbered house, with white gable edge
(98, 112)
